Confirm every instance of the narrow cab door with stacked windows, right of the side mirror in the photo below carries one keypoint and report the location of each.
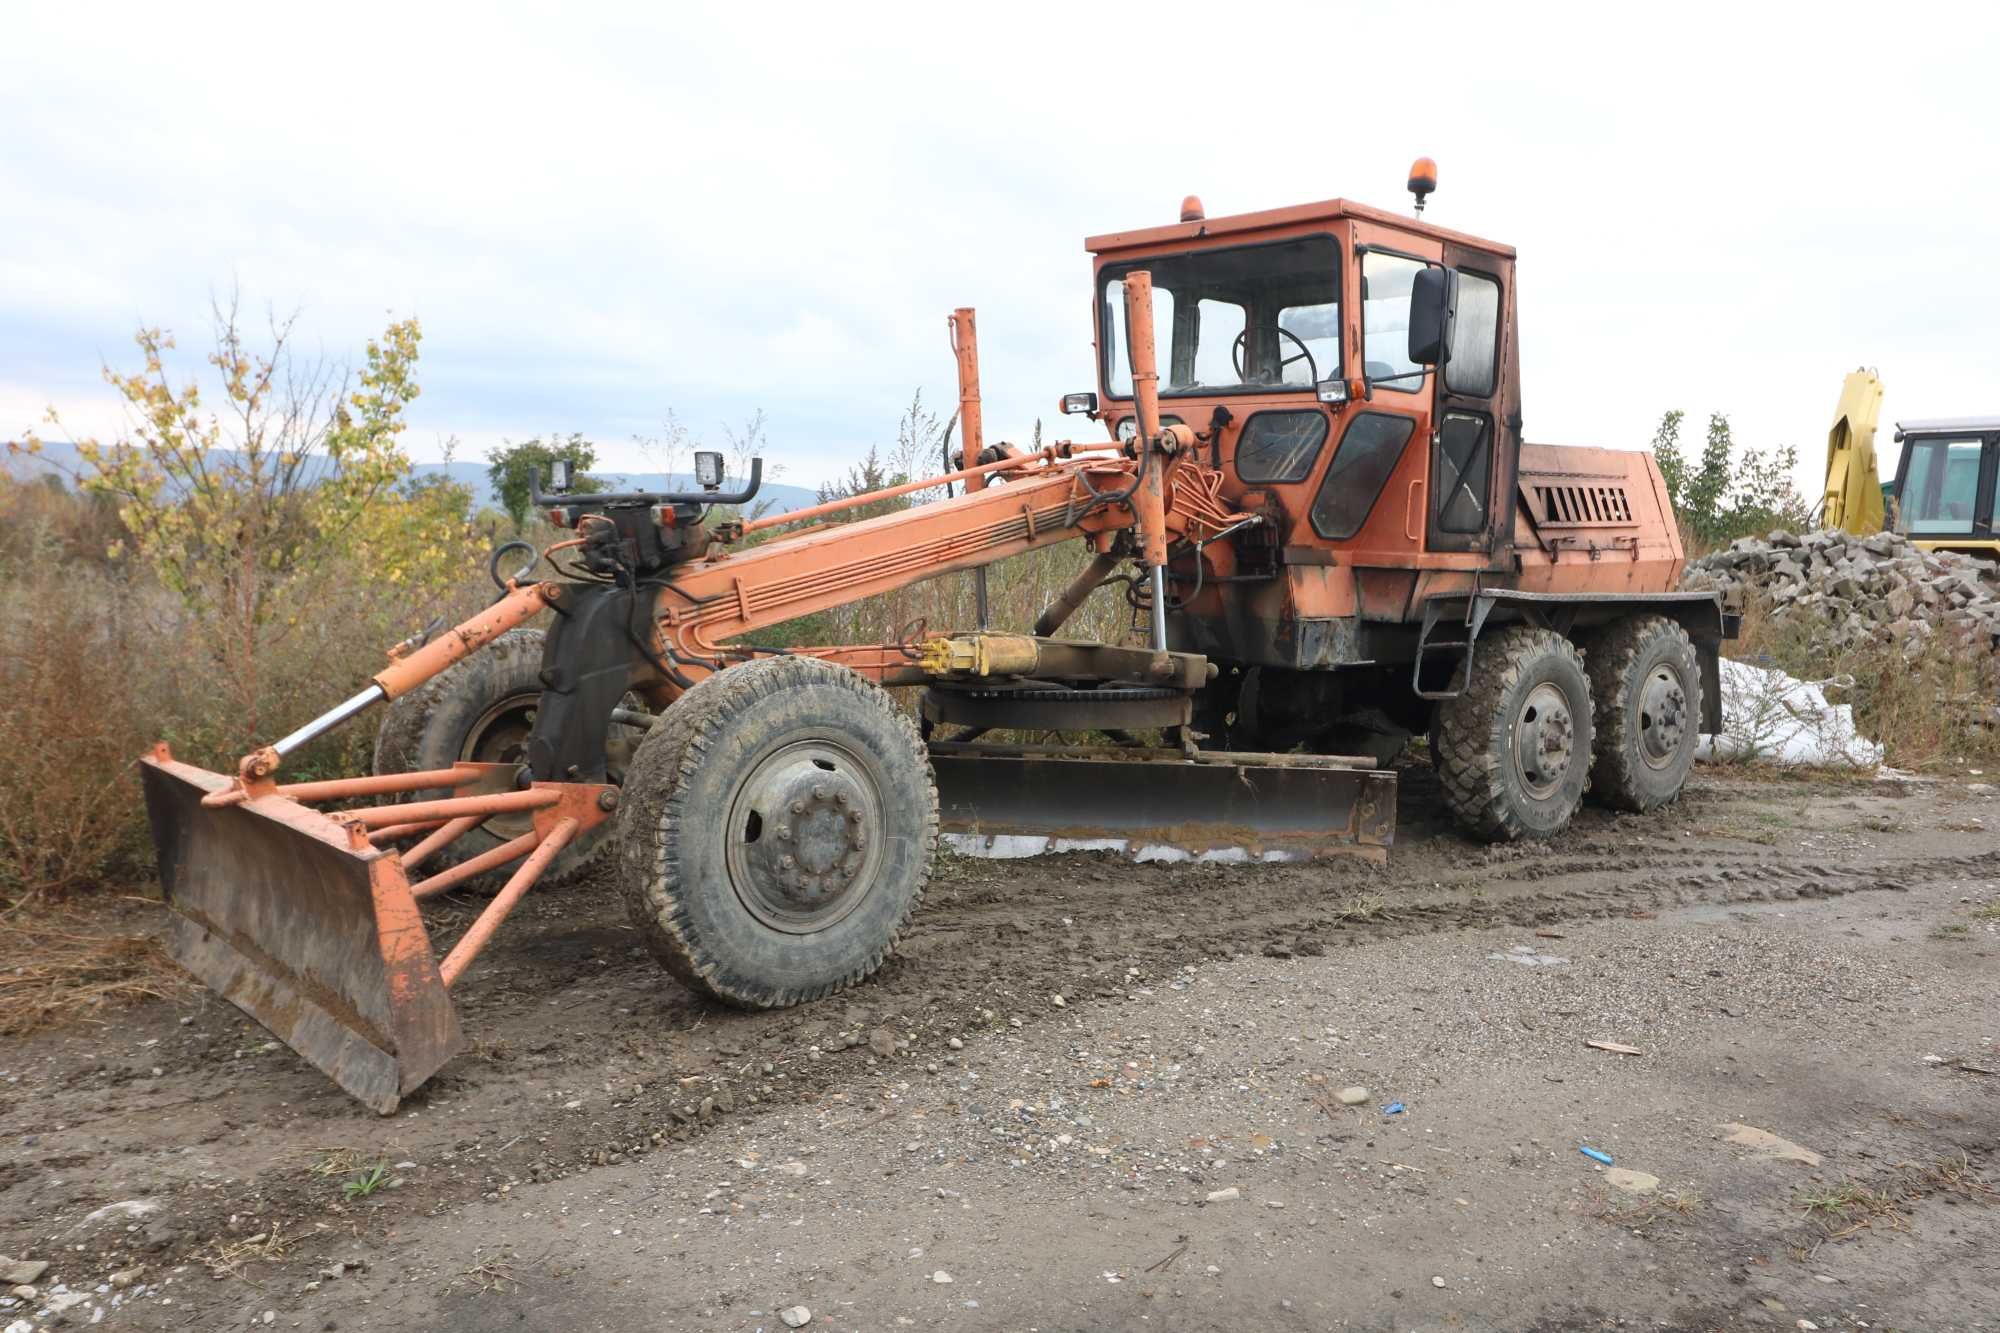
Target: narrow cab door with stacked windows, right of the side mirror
(1475, 441)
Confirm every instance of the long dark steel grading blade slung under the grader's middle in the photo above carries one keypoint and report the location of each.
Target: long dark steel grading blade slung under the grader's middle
(1157, 806)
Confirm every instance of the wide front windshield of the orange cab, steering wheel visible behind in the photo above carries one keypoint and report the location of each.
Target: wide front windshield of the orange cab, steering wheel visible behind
(1231, 321)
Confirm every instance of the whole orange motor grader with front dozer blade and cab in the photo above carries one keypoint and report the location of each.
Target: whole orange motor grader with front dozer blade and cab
(1311, 471)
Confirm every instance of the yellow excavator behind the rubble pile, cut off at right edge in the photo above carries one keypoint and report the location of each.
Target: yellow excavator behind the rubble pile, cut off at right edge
(1947, 471)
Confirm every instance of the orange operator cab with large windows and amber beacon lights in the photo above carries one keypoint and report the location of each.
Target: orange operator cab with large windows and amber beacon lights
(1349, 371)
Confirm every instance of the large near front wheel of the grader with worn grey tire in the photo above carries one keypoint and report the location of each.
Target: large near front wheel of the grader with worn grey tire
(777, 832)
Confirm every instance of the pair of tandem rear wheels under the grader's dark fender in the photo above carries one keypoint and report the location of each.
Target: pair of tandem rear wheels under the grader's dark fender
(1547, 722)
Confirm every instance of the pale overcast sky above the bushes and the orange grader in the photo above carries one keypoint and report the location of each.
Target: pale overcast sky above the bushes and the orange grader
(605, 215)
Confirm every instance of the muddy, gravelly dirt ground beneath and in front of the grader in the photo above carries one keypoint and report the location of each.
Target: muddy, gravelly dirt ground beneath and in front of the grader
(1037, 1114)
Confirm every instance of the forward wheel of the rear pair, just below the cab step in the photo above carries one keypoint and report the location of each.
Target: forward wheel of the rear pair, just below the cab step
(1515, 748)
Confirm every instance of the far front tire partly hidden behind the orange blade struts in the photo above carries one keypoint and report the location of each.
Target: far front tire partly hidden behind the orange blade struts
(479, 710)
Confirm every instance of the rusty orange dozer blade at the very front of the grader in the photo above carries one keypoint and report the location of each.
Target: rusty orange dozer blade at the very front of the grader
(281, 914)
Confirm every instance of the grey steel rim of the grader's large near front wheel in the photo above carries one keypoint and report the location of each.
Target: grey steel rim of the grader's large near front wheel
(803, 836)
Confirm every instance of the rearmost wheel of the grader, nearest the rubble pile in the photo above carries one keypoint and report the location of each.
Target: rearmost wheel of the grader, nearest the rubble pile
(1647, 690)
